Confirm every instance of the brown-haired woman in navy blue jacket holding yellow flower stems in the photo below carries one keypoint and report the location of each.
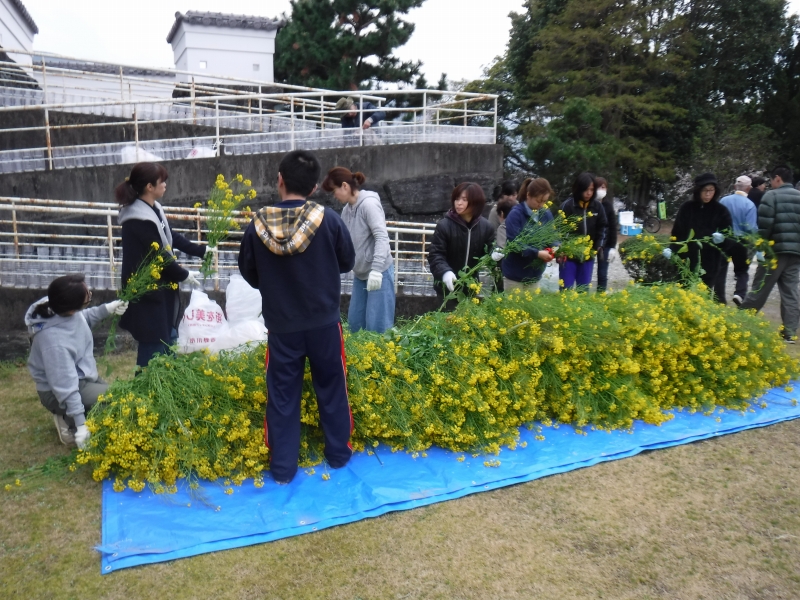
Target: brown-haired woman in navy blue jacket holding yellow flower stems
(522, 269)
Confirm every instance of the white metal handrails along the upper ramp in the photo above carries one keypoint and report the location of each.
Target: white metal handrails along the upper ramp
(218, 106)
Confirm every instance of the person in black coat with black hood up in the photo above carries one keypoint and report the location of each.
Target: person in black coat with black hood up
(704, 216)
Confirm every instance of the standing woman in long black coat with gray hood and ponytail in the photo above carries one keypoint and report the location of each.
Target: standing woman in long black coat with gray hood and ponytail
(153, 320)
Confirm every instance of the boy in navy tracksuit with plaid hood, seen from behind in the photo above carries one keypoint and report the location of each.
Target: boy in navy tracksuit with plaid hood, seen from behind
(293, 253)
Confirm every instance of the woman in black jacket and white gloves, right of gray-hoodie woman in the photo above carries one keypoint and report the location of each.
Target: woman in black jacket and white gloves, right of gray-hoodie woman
(460, 239)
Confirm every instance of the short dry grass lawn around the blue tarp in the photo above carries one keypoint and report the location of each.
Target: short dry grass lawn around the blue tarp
(715, 519)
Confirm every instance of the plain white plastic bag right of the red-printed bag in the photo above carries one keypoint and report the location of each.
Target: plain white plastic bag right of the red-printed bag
(245, 322)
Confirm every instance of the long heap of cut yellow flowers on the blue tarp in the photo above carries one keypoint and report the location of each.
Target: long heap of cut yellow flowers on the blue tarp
(465, 381)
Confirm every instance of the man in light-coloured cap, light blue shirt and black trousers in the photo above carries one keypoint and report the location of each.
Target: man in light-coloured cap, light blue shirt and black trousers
(744, 219)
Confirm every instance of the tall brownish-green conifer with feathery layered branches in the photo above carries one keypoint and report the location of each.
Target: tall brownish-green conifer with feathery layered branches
(623, 57)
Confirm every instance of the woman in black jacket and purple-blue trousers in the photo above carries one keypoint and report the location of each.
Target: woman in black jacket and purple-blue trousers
(584, 204)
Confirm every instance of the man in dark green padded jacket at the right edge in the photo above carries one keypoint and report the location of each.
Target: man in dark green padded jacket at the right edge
(779, 223)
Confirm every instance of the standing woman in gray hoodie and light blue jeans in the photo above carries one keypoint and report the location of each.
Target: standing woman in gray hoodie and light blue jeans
(372, 300)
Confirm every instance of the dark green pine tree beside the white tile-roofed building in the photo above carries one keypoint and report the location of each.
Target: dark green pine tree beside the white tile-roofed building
(345, 44)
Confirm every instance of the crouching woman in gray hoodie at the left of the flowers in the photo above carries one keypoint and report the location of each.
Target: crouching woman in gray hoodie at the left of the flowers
(61, 360)
